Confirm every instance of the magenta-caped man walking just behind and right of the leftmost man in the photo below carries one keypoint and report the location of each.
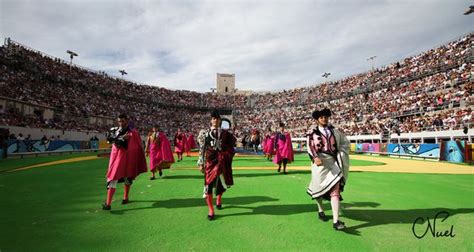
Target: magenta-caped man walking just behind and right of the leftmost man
(159, 149)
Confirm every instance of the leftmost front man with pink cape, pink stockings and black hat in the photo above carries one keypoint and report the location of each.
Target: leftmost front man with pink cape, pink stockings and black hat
(127, 160)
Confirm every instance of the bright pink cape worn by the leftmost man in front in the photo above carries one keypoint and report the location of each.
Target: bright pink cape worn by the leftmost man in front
(127, 163)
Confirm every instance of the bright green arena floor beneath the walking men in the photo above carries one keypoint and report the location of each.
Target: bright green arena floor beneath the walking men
(59, 208)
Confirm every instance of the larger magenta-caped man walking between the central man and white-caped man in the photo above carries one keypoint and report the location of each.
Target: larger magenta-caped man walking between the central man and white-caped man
(283, 149)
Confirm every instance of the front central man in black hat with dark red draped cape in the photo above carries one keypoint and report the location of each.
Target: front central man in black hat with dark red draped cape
(215, 158)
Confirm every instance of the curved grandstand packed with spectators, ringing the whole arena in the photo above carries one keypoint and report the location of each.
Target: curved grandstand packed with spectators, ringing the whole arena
(426, 92)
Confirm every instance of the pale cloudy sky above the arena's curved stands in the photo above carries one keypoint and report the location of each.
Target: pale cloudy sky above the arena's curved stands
(269, 45)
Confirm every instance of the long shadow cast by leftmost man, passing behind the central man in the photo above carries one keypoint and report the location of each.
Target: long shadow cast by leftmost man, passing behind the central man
(194, 202)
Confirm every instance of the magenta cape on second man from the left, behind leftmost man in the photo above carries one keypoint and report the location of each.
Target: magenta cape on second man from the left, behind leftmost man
(161, 156)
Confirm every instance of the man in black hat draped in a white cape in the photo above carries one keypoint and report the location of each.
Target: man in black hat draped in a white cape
(328, 149)
